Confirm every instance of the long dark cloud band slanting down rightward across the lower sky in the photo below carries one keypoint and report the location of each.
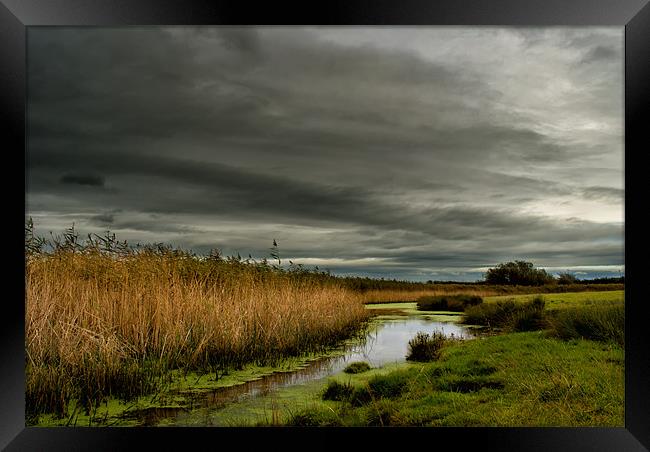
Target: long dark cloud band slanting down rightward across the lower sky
(238, 193)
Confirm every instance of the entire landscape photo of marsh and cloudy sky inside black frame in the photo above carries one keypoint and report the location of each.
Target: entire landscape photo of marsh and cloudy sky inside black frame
(325, 226)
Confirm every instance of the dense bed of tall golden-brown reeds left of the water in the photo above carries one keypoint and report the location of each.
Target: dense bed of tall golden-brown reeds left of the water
(99, 324)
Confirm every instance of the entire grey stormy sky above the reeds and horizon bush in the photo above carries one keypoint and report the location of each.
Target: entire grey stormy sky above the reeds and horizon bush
(400, 152)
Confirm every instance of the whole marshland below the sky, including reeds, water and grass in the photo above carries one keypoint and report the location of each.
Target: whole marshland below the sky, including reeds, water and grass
(152, 335)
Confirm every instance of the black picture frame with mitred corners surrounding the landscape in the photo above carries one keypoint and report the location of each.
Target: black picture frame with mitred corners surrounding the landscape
(634, 15)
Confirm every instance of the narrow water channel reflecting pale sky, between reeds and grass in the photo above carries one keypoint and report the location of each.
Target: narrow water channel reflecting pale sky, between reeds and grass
(386, 343)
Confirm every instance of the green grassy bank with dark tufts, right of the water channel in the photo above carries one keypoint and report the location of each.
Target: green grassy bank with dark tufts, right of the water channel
(558, 361)
